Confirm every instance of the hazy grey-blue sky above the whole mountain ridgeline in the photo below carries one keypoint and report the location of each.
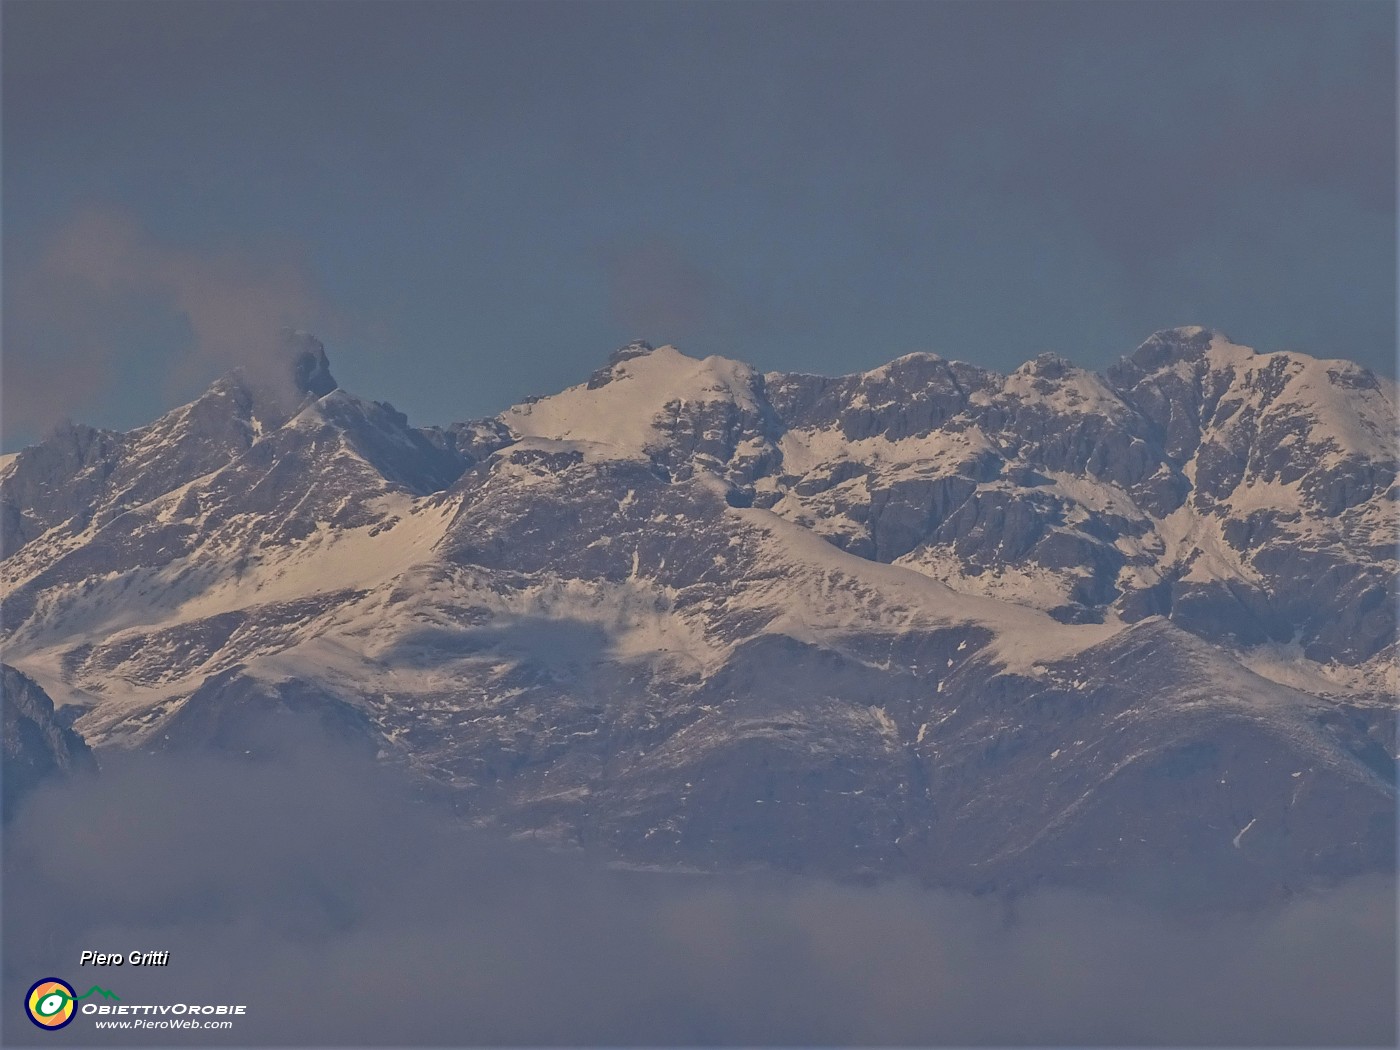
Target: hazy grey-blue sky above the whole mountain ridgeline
(478, 202)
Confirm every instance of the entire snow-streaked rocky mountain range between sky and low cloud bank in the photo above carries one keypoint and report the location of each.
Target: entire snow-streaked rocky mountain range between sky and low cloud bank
(930, 621)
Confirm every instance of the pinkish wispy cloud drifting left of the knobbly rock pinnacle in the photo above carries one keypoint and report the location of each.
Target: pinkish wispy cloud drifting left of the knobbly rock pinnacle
(103, 276)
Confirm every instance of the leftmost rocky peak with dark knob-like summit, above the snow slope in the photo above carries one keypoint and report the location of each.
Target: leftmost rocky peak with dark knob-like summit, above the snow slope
(325, 457)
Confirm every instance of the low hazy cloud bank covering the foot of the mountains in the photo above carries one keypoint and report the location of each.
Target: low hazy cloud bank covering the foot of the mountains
(344, 912)
